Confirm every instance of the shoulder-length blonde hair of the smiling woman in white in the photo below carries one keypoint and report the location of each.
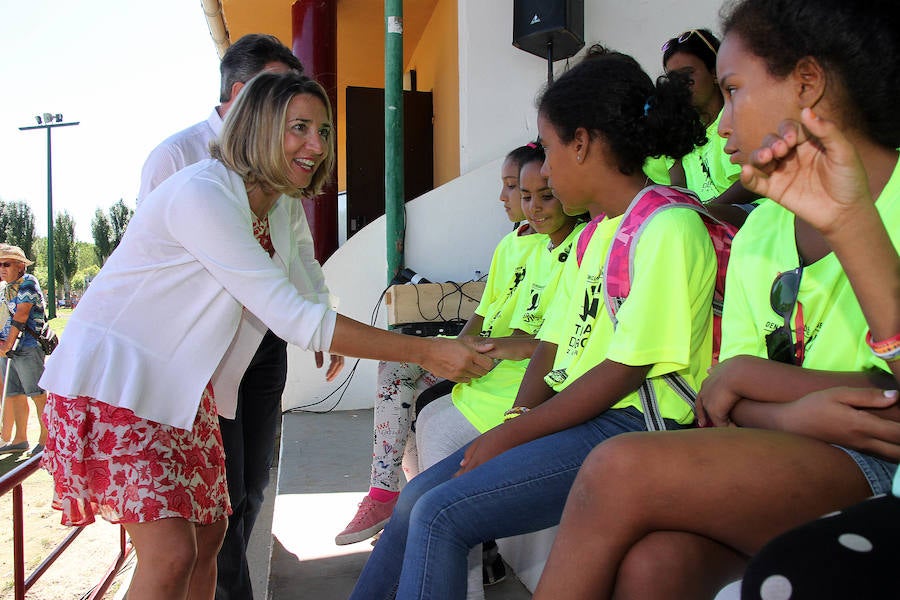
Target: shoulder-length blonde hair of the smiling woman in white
(252, 140)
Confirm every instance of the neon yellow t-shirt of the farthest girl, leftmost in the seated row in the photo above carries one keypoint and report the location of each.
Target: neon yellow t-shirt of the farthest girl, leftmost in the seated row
(508, 266)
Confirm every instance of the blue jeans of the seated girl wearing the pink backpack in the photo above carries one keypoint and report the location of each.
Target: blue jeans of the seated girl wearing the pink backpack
(438, 518)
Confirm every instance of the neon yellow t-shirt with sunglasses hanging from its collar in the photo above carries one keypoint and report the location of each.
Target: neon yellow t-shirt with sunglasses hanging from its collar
(834, 325)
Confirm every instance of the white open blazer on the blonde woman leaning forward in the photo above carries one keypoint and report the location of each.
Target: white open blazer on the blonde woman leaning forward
(158, 320)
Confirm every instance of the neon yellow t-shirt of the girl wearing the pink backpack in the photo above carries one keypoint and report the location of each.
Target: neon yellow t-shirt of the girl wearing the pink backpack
(666, 321)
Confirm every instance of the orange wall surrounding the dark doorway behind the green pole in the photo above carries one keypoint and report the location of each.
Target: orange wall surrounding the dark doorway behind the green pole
(430, 47)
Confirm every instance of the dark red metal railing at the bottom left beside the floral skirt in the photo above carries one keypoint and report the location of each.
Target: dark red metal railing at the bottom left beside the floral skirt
(12, 481)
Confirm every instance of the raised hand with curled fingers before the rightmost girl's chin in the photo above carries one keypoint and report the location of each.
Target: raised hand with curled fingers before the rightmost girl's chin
(812, 169)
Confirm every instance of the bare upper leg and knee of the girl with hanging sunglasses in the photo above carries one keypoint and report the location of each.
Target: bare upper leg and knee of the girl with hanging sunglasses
(728, 484)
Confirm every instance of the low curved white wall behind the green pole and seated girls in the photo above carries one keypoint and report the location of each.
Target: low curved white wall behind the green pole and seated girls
(450, 233)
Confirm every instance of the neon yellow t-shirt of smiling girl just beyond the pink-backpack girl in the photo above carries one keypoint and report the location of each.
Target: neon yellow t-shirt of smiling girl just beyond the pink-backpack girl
(484, 400)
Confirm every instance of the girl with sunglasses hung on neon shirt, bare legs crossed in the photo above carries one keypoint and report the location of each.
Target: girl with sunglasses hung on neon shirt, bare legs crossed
(697, 504)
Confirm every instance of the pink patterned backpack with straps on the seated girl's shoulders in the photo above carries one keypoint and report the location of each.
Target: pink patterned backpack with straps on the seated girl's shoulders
(619, 270)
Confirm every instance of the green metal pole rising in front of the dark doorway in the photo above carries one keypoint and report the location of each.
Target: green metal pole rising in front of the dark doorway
(393, 136)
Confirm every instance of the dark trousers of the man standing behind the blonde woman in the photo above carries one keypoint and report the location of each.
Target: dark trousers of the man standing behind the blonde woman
(249, 441)
